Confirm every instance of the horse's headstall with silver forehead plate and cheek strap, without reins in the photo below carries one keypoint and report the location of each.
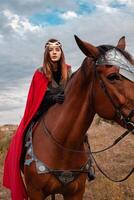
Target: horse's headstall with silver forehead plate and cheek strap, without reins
(116, 57)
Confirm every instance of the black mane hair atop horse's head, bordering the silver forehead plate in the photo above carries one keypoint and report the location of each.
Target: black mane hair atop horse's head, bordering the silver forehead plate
(104, 48)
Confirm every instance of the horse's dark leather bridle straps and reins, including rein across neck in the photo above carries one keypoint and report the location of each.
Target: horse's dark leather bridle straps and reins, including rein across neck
(126, 120)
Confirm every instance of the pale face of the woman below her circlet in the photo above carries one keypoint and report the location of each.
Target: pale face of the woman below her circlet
(55, 53)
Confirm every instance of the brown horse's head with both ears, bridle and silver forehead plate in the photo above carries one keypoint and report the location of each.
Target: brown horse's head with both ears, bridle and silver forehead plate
(113, 81)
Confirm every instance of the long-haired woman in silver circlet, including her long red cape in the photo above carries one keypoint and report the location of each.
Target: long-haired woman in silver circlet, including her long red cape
(47, 88)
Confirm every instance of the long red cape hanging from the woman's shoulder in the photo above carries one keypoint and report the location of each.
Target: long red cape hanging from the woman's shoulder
(12, 178)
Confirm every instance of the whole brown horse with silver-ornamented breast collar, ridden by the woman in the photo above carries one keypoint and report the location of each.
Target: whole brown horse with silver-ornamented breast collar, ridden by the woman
(58, 163)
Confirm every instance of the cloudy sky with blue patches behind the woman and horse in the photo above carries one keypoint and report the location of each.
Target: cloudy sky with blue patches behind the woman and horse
(26, 25)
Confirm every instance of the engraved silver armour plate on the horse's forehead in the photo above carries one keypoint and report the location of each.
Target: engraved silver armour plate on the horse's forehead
(114, 57)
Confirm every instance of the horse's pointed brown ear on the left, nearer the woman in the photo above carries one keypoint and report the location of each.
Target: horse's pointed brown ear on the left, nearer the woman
(88, 49)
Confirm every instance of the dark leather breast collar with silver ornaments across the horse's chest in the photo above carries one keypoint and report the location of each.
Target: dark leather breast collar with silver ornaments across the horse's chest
(63, 176)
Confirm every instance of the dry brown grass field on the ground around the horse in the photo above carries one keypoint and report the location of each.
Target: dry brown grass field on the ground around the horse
(116, 162)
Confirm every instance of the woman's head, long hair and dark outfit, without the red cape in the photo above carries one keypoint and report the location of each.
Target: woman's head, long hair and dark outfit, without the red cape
(57, 73)
